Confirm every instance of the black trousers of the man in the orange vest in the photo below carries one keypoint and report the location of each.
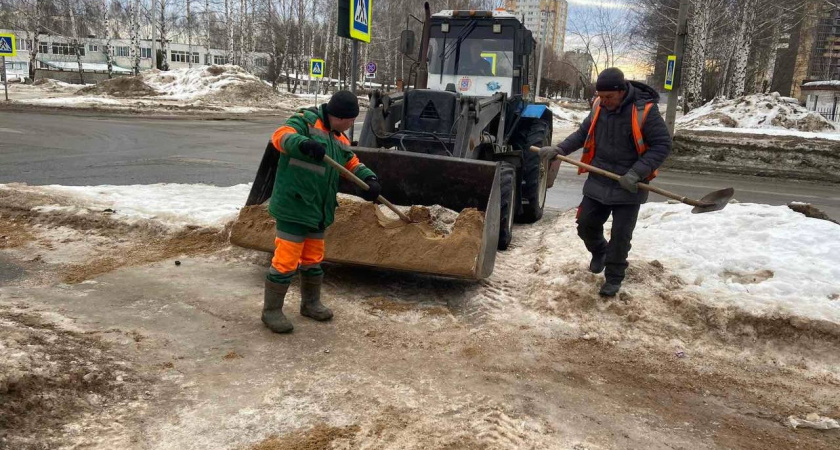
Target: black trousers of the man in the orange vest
(592, 215)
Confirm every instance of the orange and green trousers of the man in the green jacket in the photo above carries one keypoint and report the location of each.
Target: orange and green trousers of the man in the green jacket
(293, 252)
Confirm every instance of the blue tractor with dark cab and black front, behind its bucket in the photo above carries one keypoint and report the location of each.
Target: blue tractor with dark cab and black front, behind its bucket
(470, 102)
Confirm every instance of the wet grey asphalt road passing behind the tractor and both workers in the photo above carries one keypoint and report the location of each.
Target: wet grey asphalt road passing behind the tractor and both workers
(91, 149)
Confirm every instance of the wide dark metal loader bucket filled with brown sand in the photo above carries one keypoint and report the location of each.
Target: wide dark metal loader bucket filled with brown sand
(362, 235)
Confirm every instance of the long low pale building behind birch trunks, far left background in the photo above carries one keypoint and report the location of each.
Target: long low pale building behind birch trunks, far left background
(58, 53)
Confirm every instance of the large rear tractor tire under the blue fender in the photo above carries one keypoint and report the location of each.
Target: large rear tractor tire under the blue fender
(534, 169)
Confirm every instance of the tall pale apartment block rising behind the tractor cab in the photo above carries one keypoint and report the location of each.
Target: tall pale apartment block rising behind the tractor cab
(543, 17)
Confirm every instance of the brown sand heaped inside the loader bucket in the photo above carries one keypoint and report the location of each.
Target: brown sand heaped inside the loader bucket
(438, 241)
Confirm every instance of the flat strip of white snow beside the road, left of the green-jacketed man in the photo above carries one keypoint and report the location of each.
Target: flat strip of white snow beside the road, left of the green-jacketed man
(176, 205)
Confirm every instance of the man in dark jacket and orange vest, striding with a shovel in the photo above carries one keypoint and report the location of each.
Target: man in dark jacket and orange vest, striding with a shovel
(626, 135)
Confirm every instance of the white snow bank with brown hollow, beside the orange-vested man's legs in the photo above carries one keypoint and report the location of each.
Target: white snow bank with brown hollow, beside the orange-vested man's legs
(763, 259)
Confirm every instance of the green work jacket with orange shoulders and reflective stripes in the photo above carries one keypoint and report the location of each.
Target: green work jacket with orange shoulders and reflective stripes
(305, 189)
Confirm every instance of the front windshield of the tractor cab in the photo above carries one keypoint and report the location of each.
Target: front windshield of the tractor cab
(480, 53)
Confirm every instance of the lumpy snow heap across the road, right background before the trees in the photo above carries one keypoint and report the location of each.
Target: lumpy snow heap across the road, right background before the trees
(761, 111)
